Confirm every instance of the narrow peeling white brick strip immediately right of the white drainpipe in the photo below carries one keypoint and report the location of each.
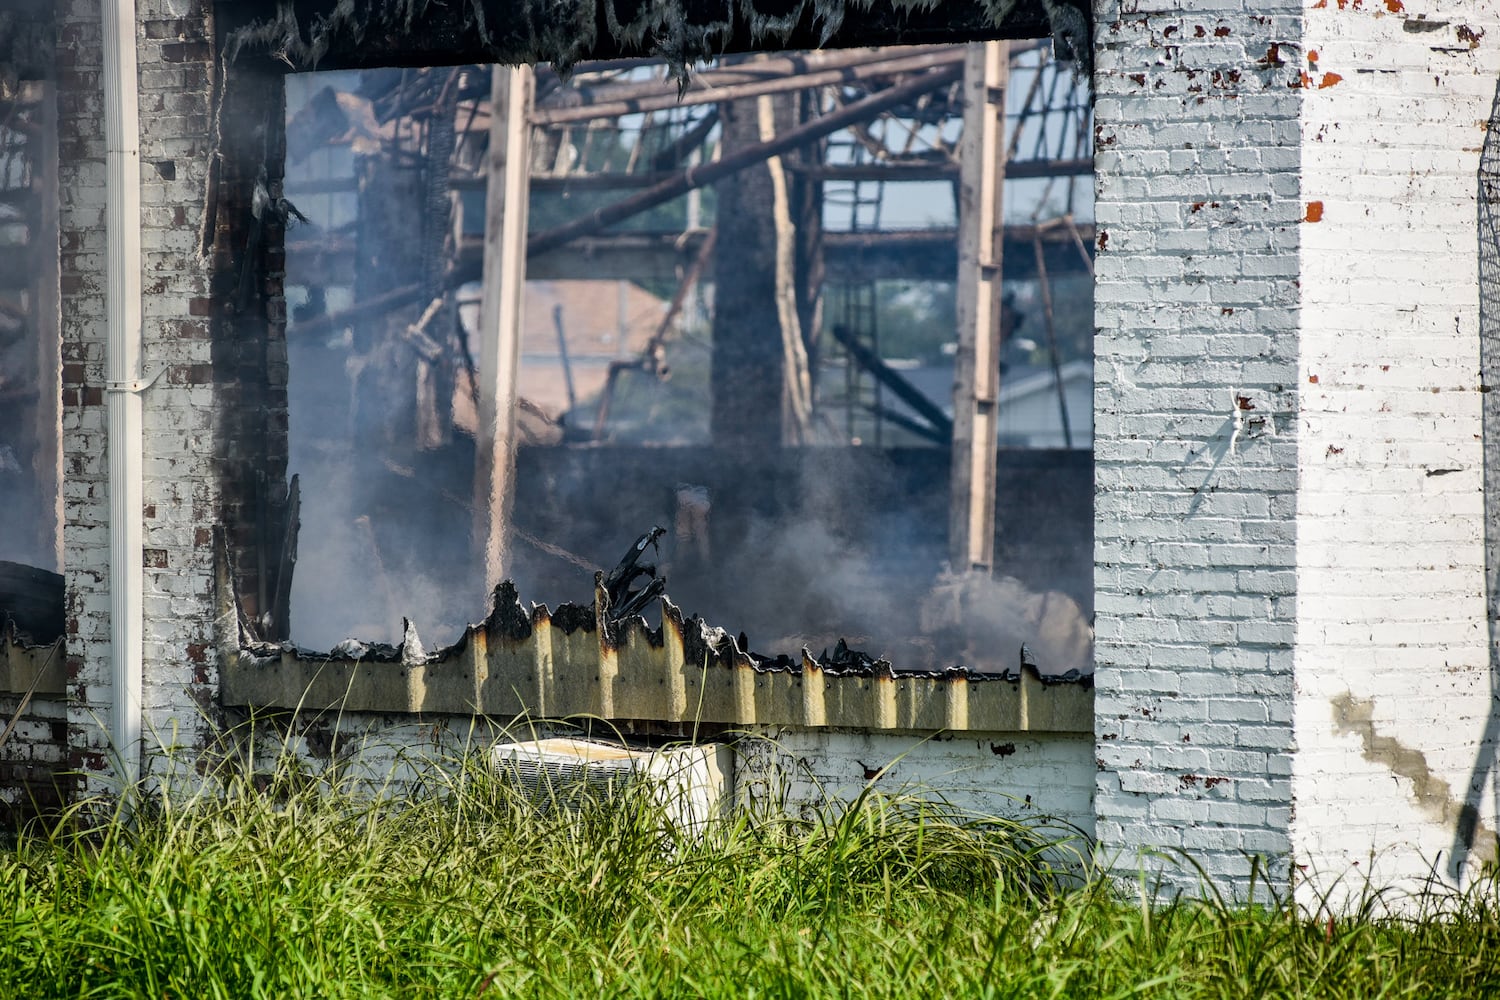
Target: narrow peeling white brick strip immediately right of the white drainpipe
(181, 487)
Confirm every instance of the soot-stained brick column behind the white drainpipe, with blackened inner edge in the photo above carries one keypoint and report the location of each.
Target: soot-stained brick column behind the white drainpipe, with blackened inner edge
(214, 319)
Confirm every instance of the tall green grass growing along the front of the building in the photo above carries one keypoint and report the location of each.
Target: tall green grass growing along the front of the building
(475, 893)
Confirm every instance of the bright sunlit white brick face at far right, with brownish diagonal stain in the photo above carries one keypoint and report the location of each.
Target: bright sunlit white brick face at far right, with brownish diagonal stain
(1394, 669)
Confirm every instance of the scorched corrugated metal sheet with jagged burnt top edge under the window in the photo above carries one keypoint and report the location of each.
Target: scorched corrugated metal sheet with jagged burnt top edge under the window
(580, 662)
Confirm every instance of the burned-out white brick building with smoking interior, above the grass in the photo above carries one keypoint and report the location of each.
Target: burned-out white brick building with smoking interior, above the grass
(1286, 528)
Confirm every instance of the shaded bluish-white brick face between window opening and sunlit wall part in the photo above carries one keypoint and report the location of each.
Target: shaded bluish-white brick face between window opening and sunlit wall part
(1196, 311)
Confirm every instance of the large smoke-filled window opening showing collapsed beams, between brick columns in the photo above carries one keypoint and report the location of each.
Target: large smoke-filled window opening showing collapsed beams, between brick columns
(763, 365)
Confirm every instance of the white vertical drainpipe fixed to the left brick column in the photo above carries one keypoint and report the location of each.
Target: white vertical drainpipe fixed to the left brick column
(124, 374)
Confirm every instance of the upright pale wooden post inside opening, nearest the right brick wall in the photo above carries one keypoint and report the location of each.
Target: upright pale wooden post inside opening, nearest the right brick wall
(977, 368)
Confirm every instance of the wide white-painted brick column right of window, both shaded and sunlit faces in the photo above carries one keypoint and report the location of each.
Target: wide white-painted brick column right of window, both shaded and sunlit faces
(1292, 650)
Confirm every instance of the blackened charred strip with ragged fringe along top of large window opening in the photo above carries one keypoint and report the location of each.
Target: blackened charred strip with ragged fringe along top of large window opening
(310, 35)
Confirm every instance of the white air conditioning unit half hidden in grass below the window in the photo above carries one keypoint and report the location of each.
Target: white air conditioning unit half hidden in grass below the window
(692, 785)
